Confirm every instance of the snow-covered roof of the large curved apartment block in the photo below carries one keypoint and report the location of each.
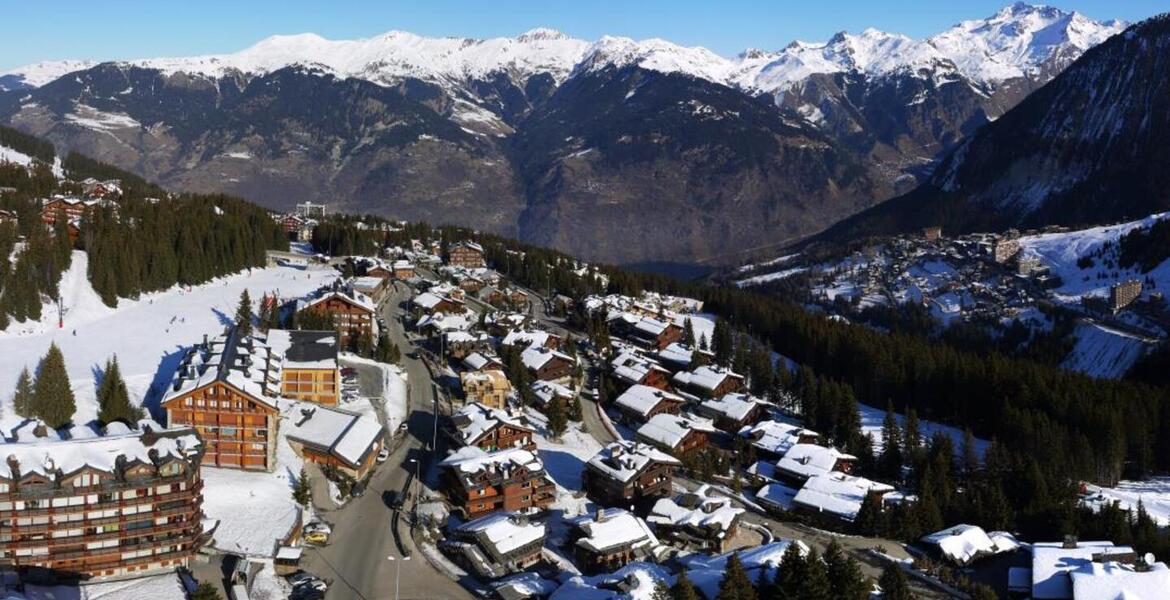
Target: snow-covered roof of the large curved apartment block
(50, 456)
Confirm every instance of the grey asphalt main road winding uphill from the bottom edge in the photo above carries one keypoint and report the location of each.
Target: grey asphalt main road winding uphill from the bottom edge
(357, 558)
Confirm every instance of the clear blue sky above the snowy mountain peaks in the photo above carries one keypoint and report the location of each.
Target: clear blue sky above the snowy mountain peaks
(114, 30)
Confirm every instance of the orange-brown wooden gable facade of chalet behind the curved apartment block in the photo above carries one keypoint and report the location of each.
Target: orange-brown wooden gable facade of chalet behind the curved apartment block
(239, 431)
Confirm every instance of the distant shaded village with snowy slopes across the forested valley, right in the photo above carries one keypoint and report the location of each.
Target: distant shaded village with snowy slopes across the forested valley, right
(1031, 281)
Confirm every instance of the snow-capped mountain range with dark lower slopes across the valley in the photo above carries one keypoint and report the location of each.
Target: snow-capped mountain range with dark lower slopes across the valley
(558, 140)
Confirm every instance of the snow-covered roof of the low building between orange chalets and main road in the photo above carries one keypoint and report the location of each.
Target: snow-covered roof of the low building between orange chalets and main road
(342, 433)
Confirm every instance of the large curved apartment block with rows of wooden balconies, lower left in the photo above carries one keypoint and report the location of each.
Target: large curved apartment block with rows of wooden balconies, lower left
(121, 505)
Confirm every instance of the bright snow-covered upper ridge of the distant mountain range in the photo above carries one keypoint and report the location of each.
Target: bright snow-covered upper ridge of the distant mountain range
(1013, 43)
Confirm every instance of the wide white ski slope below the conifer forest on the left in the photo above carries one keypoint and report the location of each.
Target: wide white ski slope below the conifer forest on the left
(148, 335)
